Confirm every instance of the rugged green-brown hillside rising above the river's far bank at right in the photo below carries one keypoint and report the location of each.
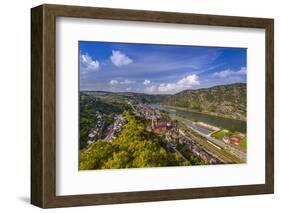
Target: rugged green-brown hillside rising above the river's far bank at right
(225, 100)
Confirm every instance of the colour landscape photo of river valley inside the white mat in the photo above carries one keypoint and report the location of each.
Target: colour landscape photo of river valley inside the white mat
(161, 105)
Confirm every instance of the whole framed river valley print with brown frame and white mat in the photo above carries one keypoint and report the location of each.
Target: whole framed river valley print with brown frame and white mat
(136, 106)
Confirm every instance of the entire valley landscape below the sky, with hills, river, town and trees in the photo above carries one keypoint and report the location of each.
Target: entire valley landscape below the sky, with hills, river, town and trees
(135, 130)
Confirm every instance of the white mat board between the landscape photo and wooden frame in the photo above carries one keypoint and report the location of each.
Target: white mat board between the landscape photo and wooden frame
(71, 181)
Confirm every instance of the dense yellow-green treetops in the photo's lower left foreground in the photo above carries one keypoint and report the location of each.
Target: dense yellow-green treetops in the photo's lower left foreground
(133, 148)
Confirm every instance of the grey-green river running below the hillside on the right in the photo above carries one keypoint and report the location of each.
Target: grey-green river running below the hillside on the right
(221, 122)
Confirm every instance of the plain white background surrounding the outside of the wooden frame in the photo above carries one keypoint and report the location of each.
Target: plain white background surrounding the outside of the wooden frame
(15, 104)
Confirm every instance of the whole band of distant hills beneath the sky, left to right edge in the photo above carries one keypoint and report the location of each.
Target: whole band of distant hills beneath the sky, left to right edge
(224, 100)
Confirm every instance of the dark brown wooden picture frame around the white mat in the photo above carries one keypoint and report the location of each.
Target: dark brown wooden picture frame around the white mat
(43, 105)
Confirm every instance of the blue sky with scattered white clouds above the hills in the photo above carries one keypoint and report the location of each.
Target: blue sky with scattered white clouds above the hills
(158, 69)
